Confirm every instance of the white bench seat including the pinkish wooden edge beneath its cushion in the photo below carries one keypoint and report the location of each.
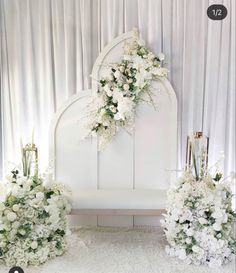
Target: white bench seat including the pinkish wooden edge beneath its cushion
(119, 202)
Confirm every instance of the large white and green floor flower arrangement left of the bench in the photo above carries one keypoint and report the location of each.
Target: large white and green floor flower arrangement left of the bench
(33, 225)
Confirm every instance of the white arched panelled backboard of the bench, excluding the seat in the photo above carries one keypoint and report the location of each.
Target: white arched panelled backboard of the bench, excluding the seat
(144, 160)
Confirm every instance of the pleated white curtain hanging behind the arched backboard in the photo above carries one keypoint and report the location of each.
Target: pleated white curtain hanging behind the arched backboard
(48, 48)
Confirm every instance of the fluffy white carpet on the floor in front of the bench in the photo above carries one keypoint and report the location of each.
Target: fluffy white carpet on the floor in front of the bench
(118, 250)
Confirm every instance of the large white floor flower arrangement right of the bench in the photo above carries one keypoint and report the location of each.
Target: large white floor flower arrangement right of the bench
(199, 218)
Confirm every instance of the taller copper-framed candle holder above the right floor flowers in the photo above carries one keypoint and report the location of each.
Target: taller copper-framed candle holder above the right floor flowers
(197, 153)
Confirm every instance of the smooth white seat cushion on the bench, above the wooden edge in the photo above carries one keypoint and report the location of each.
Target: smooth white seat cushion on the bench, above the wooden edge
(119, 199)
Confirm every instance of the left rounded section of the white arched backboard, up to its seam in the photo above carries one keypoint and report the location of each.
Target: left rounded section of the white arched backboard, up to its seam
(72, 157)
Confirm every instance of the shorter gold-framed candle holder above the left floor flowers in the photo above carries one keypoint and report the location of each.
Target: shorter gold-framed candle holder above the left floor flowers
(30, 157)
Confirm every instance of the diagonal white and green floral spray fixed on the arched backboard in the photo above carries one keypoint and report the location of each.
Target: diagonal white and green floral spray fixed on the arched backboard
(128, 84)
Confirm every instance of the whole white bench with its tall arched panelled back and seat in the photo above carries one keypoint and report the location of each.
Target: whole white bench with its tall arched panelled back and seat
(133, 173)
